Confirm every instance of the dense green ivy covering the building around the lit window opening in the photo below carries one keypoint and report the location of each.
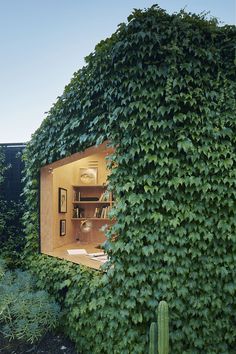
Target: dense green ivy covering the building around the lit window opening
(161, 90)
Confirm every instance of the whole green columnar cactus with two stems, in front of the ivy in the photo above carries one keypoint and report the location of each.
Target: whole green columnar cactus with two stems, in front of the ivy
(159, 333)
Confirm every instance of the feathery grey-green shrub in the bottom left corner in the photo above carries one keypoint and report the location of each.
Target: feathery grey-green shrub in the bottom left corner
(25, 313)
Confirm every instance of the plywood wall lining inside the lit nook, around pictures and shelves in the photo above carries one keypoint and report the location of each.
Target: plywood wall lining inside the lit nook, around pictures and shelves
(66, 177)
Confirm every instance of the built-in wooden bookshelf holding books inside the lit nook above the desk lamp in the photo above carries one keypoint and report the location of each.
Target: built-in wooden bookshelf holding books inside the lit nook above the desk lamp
(91, 202)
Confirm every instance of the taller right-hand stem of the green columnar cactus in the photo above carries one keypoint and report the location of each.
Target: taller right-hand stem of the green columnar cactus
(163, 328)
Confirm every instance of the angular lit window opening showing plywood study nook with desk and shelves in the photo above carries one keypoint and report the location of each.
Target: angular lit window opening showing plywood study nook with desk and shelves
(74, 206)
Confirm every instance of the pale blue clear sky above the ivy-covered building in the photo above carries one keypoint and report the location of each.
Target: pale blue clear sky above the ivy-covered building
(43, 42)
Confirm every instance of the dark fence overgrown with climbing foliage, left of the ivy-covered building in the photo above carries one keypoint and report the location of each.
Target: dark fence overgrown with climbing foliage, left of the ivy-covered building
(12, 239)
